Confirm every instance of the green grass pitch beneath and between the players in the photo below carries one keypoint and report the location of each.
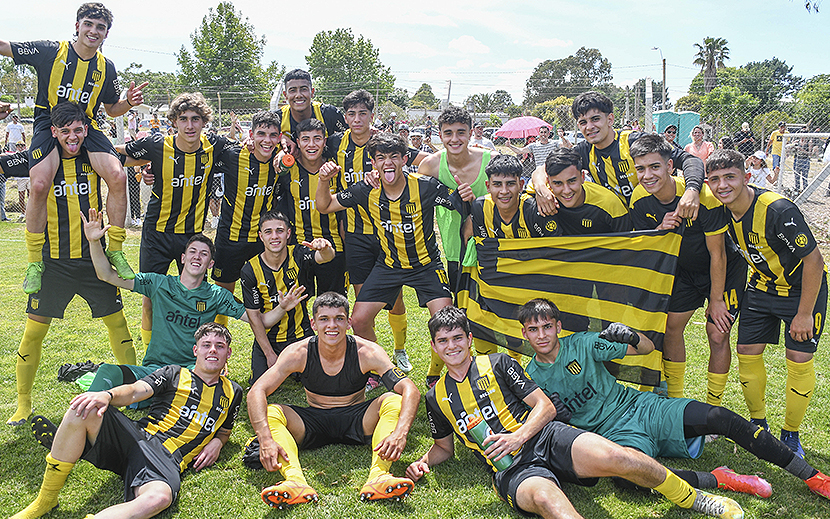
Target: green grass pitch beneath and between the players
(458, 488)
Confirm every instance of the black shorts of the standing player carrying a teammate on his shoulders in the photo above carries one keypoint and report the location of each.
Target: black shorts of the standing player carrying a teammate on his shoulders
(63, 279)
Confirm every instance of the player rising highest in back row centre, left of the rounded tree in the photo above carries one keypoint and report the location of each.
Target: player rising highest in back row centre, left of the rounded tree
(299, 95)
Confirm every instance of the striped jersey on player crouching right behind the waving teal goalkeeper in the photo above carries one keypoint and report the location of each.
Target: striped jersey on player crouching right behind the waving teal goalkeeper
(261, 287)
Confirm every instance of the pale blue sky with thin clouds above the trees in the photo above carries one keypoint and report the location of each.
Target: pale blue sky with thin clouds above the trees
(481, 46)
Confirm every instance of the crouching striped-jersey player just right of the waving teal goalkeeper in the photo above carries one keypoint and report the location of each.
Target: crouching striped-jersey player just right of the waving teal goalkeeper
(267, 279)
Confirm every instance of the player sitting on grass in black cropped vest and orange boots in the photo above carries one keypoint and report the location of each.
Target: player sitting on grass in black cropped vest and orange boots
(333, 368)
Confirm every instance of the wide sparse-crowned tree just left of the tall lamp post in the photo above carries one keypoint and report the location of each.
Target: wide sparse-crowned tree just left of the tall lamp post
(583, 71)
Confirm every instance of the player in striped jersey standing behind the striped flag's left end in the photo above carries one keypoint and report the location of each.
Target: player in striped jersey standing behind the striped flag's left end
(506, 212)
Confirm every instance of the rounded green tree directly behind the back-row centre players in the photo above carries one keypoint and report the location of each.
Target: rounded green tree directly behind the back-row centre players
(341, 63)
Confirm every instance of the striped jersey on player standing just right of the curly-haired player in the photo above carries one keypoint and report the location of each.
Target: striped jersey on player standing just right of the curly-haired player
(250, 192)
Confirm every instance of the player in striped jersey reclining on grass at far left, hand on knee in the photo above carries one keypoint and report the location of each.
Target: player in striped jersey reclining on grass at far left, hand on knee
(150, 453)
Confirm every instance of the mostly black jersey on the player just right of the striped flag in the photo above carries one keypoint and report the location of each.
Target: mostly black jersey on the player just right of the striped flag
(647, 213)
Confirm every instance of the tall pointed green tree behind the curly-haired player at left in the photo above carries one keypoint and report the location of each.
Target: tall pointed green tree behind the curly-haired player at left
(226, 59)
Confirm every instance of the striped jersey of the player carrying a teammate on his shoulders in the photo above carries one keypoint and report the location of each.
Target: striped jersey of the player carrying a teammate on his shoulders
(75, 189)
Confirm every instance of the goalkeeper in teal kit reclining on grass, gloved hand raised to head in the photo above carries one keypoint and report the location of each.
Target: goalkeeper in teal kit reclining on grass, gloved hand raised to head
(570, 367)
